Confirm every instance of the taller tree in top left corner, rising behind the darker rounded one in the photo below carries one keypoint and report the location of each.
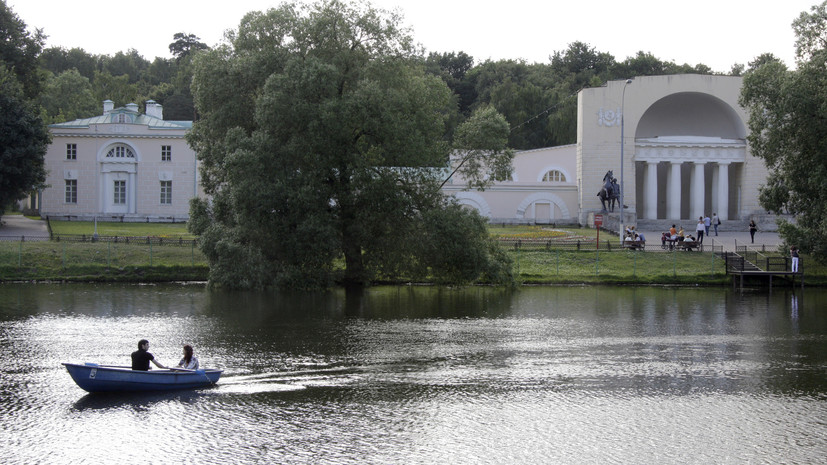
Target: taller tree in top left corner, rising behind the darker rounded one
(19, 49)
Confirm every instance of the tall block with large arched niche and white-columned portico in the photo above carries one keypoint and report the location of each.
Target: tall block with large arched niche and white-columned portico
(685, 148)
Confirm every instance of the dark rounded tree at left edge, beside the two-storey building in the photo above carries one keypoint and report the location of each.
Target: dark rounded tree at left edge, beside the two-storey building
(23, 142)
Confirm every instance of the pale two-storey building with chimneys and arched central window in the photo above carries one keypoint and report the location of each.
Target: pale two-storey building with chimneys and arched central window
(122, 165)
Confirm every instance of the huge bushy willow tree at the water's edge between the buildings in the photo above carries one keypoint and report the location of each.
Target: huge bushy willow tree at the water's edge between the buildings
(321, 141)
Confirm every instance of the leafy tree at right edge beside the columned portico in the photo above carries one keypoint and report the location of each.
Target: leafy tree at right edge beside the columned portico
(788, 130)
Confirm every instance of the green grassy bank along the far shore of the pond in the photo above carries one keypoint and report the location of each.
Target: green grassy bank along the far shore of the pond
(147, 262)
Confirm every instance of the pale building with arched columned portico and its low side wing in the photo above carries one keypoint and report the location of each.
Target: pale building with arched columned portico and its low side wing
(685, 155)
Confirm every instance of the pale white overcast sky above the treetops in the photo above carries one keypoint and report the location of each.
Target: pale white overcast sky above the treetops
(717, 33)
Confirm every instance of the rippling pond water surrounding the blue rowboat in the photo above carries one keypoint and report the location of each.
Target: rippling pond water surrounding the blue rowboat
(421, 375)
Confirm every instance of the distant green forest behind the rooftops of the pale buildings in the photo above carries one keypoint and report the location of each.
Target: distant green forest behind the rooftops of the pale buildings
(538, 100)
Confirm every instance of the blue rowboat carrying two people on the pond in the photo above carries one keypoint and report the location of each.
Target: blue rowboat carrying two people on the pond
(106, 378)
